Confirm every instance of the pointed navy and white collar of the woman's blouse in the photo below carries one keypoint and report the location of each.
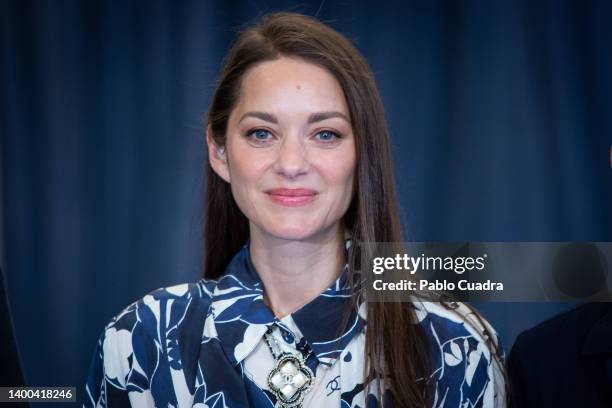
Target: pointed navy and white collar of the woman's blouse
(241, 317)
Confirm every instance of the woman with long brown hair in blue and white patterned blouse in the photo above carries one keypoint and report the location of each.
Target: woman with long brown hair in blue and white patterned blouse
(300, 168)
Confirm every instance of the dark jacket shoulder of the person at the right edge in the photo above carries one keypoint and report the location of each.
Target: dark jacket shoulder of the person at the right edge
(546, 365)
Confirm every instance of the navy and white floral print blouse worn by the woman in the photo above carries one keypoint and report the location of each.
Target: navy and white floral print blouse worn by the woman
(202, 345)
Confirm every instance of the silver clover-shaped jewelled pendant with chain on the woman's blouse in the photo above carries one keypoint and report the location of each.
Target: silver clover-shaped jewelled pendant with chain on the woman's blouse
(290, 378)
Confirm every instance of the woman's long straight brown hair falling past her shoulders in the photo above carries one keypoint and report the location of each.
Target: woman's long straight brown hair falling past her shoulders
(396, 348)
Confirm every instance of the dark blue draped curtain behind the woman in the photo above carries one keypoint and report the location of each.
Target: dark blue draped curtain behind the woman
(500, 112)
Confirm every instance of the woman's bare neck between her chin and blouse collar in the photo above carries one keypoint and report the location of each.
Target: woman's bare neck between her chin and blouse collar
(295, 272)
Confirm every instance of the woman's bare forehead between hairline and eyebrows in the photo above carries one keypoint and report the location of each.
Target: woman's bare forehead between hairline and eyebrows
(289, 84)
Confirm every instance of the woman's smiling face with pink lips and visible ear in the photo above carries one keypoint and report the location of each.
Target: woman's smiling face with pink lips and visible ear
(290, 151)
